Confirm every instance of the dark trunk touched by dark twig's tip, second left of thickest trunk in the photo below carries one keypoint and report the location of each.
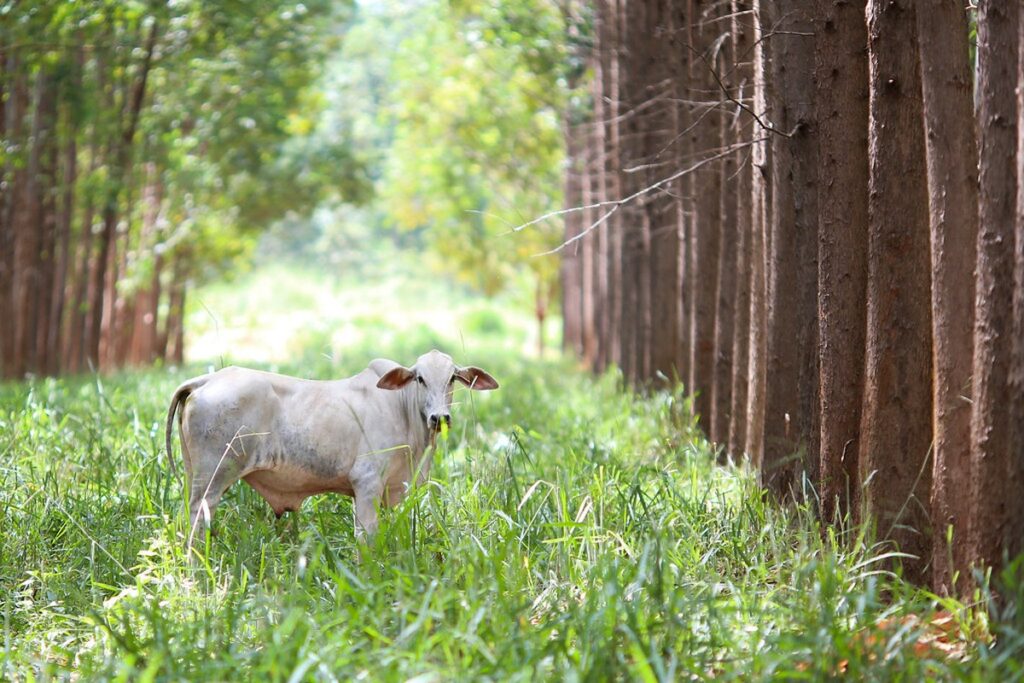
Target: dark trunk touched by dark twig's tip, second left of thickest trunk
(791, 390)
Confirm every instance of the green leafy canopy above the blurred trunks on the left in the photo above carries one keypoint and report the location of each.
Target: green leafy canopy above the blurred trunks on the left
(225, 126)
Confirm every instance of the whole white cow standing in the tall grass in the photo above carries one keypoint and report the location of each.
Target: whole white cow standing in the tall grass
(290, 439)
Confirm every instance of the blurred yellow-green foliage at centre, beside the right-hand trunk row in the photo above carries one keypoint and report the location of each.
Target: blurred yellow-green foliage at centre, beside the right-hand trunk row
(458, 108)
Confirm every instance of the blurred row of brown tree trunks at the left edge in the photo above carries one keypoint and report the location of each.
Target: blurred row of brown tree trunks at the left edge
(84, 281)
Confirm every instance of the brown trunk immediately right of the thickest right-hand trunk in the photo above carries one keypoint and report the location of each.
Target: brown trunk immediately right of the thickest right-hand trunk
(953, 189)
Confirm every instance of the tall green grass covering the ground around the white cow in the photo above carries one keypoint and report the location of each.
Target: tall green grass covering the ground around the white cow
(572, 530)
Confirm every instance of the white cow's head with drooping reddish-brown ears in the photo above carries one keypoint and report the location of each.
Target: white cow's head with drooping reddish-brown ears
(436, 375)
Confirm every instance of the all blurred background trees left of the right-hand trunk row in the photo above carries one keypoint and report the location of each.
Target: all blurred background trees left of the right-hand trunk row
(151, 147)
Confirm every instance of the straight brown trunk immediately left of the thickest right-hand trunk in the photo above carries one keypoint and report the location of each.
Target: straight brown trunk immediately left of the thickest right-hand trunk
(841, 68)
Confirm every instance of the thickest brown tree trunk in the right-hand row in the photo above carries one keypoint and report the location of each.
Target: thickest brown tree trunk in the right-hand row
(897, 424)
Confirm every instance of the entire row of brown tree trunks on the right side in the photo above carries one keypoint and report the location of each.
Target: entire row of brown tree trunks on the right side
(799, 210)
